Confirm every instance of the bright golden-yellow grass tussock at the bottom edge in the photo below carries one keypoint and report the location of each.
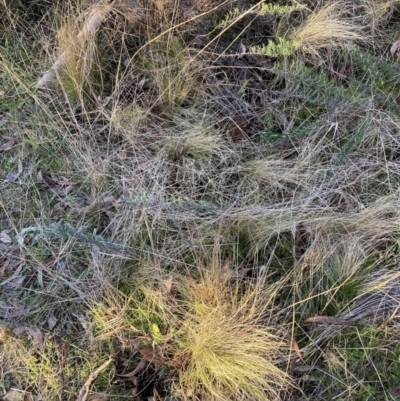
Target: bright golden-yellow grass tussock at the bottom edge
(229, 345)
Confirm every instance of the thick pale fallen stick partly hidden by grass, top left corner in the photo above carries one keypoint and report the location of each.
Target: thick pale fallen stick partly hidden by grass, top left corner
(95, 19)
